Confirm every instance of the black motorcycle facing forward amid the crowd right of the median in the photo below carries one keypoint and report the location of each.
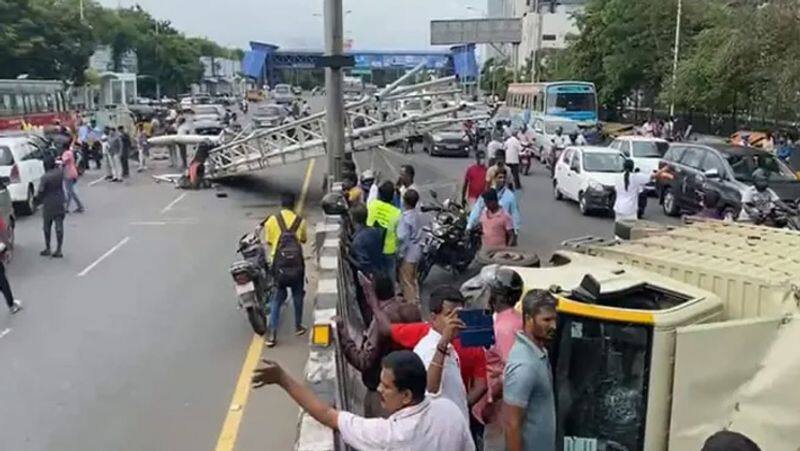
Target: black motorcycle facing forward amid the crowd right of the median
(447, 242)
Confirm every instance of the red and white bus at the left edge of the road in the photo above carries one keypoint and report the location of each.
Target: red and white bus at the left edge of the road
(35, 102)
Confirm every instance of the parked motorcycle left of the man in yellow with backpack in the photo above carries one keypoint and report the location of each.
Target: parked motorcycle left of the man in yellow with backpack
(253, 280)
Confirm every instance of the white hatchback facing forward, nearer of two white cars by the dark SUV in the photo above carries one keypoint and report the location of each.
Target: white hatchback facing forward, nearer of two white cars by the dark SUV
(588, 175)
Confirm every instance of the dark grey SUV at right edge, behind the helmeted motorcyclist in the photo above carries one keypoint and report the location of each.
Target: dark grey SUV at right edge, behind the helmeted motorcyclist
(724, 168)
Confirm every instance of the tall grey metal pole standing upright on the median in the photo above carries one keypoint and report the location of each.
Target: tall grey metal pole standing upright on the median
(334, 113)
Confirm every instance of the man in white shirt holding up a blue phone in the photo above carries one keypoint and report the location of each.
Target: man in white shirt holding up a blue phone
(437, 352)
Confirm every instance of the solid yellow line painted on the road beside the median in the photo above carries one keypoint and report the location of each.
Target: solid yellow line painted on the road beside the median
(233, 420)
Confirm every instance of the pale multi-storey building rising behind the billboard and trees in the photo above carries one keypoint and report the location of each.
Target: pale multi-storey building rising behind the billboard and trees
(557, 23)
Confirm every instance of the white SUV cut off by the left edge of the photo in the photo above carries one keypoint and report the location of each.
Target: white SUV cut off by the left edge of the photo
(21, 162)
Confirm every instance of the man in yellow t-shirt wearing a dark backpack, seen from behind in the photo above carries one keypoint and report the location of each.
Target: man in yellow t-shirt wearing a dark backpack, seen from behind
(285, 235)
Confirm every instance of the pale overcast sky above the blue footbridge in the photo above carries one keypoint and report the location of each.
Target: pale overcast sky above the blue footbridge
(372, 24)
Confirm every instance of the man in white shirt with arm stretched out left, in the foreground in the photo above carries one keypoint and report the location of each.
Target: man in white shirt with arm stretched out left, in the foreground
(416, 422)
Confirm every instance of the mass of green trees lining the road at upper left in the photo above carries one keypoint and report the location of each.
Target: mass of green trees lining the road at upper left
(47, 39)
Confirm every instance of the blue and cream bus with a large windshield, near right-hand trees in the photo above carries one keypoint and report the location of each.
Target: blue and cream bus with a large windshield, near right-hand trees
(575, 100)
